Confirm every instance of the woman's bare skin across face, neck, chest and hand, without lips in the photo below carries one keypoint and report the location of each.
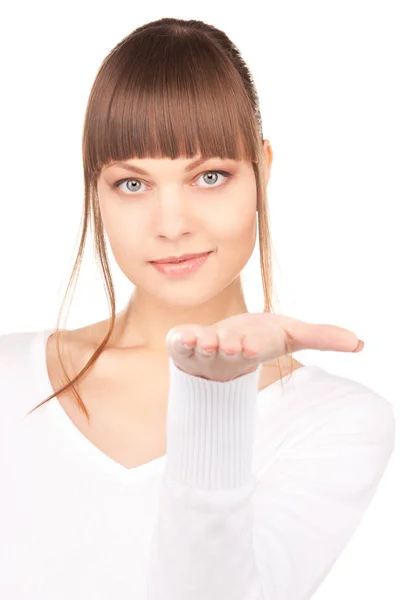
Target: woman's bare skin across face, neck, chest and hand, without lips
(172, 208)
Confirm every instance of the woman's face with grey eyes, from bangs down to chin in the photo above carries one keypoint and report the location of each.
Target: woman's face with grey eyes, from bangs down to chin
(174, 208)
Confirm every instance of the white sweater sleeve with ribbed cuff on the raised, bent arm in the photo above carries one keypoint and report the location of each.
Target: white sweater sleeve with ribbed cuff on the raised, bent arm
(222, 535)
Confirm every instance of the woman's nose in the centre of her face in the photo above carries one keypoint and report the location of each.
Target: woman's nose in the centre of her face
(172, 218)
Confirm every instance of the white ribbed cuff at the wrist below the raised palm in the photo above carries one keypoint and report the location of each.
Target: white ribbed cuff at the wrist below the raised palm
(210, 429)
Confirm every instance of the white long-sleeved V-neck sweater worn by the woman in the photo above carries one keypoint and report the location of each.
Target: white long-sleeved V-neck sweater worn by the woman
(257, 496)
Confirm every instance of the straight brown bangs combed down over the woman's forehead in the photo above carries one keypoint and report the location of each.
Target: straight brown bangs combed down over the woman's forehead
(161, 96)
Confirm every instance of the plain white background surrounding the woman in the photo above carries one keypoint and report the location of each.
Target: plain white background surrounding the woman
(332, 81)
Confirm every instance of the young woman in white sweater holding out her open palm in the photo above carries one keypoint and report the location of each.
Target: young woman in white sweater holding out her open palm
(159, 454)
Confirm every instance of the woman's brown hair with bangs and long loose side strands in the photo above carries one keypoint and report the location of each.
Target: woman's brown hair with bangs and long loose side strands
(172, 87)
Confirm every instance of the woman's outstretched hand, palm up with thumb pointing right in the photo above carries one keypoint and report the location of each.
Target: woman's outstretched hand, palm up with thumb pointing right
(239, 344)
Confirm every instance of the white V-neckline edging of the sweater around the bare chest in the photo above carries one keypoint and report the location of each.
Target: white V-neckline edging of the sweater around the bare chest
(59, 417)
